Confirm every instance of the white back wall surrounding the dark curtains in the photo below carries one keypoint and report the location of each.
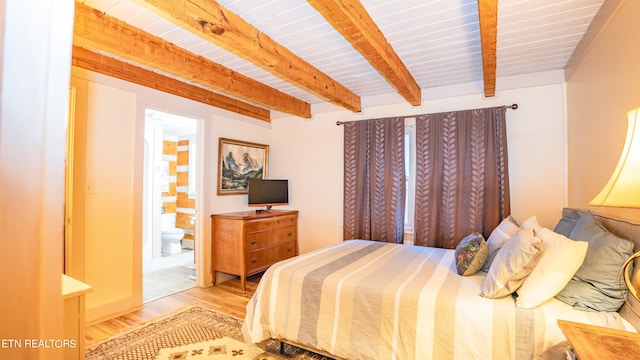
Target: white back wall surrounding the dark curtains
(309, 153)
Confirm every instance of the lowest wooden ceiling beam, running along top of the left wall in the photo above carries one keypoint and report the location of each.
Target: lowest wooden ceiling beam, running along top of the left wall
(102, 64)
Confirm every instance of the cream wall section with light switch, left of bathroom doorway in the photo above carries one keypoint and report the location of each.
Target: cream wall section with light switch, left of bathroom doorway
(109, 200)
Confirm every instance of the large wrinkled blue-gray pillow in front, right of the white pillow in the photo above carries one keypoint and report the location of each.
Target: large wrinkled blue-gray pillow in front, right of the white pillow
(596, 285)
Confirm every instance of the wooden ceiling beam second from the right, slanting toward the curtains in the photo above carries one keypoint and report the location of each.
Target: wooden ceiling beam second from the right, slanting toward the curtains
(351, 19)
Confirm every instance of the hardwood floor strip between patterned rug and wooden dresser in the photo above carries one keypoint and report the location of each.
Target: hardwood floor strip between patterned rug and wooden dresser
(226, 297)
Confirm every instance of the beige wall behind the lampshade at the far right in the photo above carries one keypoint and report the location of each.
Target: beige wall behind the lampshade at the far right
(600, 91)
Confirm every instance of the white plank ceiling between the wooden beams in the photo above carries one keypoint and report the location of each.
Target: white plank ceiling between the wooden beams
(438, 40)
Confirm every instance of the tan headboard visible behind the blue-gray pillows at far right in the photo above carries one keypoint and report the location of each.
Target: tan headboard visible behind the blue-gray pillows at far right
(631, 232)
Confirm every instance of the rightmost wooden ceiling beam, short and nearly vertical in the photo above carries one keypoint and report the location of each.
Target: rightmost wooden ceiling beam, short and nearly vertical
(488, 15)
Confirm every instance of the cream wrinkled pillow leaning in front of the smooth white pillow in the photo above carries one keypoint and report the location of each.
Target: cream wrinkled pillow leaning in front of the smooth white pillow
(515, 260)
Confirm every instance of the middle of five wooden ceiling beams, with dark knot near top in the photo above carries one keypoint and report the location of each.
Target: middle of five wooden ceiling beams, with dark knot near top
(211, 21)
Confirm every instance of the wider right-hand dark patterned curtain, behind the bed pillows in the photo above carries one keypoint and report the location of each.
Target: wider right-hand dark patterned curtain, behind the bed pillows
(462, 182)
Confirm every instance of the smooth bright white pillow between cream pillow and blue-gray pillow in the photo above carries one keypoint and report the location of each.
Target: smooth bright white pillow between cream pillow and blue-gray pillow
(561, 259)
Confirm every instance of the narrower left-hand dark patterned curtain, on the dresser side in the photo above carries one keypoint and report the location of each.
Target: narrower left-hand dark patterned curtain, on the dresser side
(374, 180)
